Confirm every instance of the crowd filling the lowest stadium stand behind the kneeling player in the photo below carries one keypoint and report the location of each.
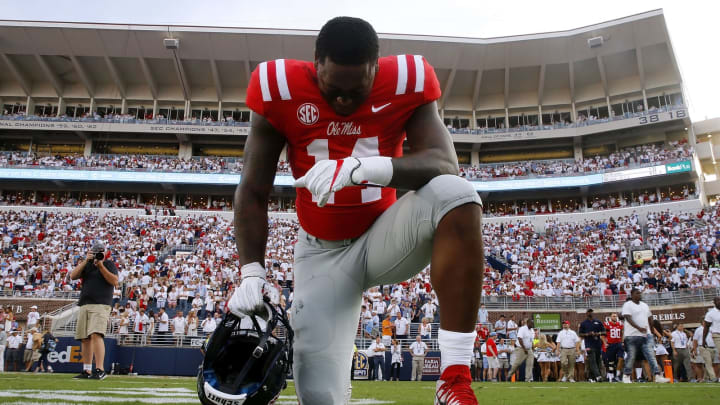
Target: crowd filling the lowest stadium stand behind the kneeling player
(562, 260)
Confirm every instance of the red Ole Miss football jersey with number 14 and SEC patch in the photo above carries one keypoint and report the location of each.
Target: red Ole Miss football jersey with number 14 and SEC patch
(286, 93)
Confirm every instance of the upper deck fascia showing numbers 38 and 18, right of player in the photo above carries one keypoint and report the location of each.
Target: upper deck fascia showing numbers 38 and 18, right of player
(591, 127)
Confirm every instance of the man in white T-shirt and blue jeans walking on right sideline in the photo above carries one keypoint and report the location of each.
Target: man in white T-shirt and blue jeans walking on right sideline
(638, 336)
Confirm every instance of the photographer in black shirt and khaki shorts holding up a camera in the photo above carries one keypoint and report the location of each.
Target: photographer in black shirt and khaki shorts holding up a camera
(99, 277)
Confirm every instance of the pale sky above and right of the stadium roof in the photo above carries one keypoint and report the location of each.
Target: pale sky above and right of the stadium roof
(691, 23)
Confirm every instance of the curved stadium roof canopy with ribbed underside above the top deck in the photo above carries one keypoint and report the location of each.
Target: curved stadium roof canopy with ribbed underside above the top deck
(110, 62)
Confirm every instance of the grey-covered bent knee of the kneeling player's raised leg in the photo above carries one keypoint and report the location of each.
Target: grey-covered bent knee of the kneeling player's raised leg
(446, 192)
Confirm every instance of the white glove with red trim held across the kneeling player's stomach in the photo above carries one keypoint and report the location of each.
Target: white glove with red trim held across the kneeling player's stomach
(326, 177)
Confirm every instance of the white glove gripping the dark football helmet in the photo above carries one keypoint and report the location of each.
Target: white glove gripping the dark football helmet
(248, 296)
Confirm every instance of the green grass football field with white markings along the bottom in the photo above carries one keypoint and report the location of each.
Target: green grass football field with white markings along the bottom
(60, 389)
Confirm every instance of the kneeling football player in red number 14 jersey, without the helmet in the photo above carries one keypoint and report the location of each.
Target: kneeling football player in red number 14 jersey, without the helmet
(344, 119)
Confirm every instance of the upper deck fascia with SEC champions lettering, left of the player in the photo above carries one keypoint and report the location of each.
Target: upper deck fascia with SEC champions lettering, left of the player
(122, 127)
